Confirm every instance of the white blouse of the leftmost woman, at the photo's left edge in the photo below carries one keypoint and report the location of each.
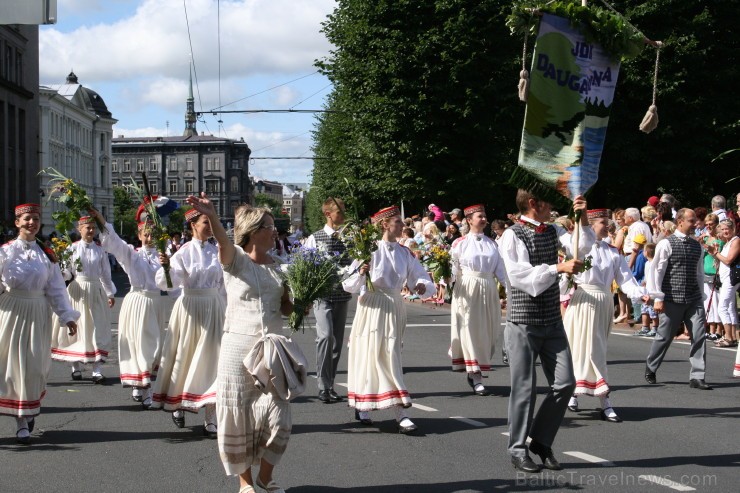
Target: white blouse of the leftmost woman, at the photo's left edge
(26, 267)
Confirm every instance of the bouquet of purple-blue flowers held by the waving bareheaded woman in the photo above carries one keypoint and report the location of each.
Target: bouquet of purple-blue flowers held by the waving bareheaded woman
(310, 274)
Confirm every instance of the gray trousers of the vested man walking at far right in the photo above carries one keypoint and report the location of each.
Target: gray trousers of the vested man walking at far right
(694, 316)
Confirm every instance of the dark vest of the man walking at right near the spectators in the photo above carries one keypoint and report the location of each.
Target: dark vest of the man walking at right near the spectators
(679, 283)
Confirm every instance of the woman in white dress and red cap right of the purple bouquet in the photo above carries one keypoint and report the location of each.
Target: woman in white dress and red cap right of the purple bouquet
(375, 370)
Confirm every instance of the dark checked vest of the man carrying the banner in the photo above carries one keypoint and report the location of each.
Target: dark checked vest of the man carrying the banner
(545, 308)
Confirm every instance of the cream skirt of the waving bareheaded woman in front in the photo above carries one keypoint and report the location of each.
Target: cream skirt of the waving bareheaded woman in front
(251, 425)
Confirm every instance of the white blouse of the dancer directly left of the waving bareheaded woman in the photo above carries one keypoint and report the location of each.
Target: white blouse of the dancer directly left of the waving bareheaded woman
(195, 265)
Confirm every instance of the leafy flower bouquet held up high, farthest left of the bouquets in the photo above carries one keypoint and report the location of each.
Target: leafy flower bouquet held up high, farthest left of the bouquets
(68, 193)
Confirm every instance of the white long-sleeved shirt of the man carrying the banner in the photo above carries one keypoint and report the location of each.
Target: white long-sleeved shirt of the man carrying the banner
(536, 279)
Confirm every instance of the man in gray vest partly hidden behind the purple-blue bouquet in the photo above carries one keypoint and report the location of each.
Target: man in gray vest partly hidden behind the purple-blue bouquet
(331, 312)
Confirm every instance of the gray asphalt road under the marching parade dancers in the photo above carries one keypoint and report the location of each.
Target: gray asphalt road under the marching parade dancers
(92, 438)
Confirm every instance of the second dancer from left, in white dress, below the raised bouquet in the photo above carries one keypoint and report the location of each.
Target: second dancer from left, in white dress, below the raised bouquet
(92, 293)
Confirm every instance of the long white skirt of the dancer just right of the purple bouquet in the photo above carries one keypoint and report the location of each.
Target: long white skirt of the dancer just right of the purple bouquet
(375, 370)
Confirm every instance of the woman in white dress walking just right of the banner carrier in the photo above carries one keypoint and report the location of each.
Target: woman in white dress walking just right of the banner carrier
(588, 319)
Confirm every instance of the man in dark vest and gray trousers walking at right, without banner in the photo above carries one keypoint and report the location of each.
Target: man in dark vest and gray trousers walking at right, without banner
(675, 283)
